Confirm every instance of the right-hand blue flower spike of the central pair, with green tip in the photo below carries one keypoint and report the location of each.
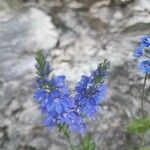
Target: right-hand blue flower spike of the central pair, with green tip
(91, 90)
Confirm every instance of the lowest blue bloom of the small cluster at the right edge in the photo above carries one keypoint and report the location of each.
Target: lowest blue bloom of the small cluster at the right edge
(145, 66)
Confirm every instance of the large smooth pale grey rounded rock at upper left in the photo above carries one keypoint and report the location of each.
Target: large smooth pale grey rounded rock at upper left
(30, 30)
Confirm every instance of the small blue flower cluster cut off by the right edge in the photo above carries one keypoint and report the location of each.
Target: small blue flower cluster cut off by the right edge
(142, 53)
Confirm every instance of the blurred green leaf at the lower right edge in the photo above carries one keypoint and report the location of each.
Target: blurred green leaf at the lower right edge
(139, 125)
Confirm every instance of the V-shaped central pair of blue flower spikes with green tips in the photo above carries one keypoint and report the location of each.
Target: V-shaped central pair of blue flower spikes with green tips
(58, 106)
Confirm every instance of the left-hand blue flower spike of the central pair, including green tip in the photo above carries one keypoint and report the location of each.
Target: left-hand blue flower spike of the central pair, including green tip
(52, 94)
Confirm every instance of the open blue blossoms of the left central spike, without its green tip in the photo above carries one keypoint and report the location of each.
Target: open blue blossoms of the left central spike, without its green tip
(59, 108)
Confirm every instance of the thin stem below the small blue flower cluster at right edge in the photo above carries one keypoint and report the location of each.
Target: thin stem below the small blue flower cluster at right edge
(142, 109)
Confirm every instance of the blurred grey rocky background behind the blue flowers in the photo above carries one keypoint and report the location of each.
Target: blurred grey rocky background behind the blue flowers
(78, 34)
